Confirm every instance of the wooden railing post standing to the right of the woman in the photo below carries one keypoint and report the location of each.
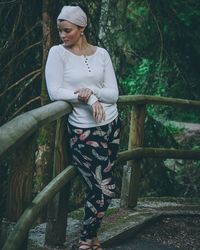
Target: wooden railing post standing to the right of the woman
(132, 171)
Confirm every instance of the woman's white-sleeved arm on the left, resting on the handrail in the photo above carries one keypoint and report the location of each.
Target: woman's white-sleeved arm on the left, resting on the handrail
(54, 74)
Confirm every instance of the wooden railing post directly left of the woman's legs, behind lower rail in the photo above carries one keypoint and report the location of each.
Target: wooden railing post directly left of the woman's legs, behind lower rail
(57, 209)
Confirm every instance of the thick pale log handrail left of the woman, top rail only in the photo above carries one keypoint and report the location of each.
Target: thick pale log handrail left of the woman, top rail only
(20, 128)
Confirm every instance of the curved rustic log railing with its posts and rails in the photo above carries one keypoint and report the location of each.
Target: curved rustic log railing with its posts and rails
(20, 130)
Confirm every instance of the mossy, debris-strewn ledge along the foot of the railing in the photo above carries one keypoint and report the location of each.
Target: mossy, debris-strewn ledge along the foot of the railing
(119, 224)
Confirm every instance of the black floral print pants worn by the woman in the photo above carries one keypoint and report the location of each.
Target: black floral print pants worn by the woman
(94, 151)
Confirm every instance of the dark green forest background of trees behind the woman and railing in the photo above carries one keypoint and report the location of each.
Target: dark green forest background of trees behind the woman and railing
(155, 49)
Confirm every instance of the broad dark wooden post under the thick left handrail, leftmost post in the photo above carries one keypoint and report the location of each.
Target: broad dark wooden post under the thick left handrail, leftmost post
(19, 186)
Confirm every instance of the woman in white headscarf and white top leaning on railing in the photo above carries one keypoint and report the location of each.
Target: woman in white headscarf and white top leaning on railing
(82, 74)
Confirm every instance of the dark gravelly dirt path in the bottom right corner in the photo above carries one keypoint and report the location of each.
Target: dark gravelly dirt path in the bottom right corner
(170, 233)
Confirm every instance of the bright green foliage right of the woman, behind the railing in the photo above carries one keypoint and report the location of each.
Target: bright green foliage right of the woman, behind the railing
(162, 54)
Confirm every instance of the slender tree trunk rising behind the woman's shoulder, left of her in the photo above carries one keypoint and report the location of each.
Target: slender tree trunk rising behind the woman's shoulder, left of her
(44, 161)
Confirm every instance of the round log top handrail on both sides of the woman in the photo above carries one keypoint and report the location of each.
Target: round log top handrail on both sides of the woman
(18, 129)
